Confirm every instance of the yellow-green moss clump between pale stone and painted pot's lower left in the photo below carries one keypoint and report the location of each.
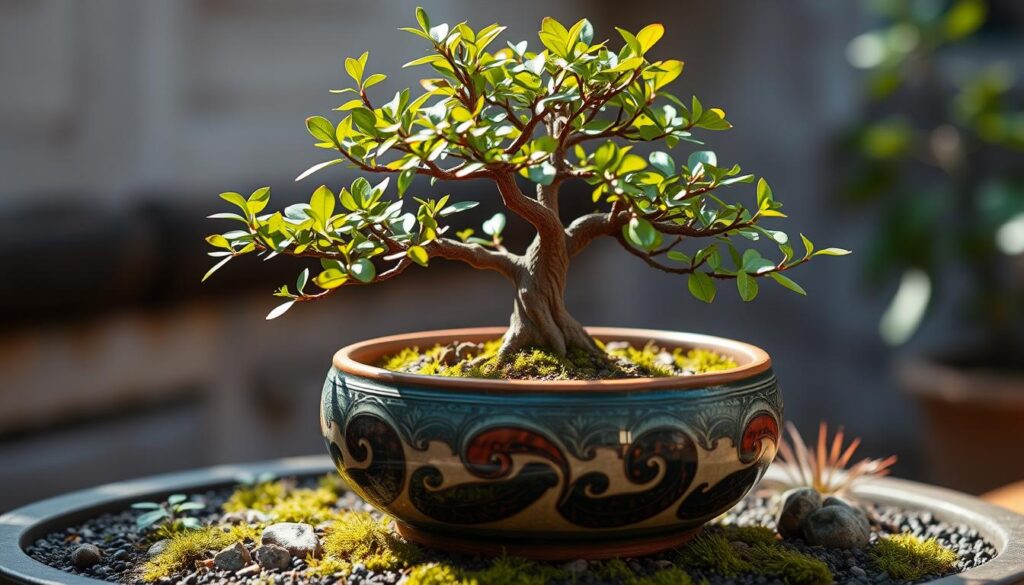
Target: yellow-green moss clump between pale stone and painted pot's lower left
(359, 537)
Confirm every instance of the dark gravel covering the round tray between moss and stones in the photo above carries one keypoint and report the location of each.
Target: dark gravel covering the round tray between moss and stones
(124, 550)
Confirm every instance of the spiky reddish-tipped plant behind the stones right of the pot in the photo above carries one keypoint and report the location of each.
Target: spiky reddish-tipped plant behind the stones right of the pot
(825, 468)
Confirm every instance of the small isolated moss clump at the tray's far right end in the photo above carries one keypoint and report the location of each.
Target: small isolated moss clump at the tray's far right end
(909, 558)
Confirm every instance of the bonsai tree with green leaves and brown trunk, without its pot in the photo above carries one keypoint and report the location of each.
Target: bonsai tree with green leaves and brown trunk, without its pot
(569, 111)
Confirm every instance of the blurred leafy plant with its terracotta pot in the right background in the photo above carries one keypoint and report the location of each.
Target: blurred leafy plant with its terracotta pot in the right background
(940, 155)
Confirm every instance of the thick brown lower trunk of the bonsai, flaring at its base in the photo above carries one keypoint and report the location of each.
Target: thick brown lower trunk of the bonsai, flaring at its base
(539, 317)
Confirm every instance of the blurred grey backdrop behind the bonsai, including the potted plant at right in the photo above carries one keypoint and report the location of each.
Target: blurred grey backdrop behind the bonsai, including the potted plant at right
(893, 129)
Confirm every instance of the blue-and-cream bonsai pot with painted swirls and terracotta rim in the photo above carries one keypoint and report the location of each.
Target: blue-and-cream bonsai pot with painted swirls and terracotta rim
(551, 470)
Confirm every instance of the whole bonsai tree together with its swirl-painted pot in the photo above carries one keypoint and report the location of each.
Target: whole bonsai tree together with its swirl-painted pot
(544, 439)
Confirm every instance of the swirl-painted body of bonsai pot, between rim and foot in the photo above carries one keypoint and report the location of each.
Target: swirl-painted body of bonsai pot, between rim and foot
(573, 466)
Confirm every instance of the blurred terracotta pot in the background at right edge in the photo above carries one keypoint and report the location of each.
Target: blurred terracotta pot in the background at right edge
(974, 420)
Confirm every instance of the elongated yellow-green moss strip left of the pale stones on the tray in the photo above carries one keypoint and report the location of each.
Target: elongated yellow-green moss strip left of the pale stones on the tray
(186, 549)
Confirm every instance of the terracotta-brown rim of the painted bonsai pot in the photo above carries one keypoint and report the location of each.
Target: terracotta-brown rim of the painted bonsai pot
(357, 360)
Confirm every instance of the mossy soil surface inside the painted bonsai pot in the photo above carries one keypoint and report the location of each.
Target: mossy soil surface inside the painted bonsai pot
(620, 361)
